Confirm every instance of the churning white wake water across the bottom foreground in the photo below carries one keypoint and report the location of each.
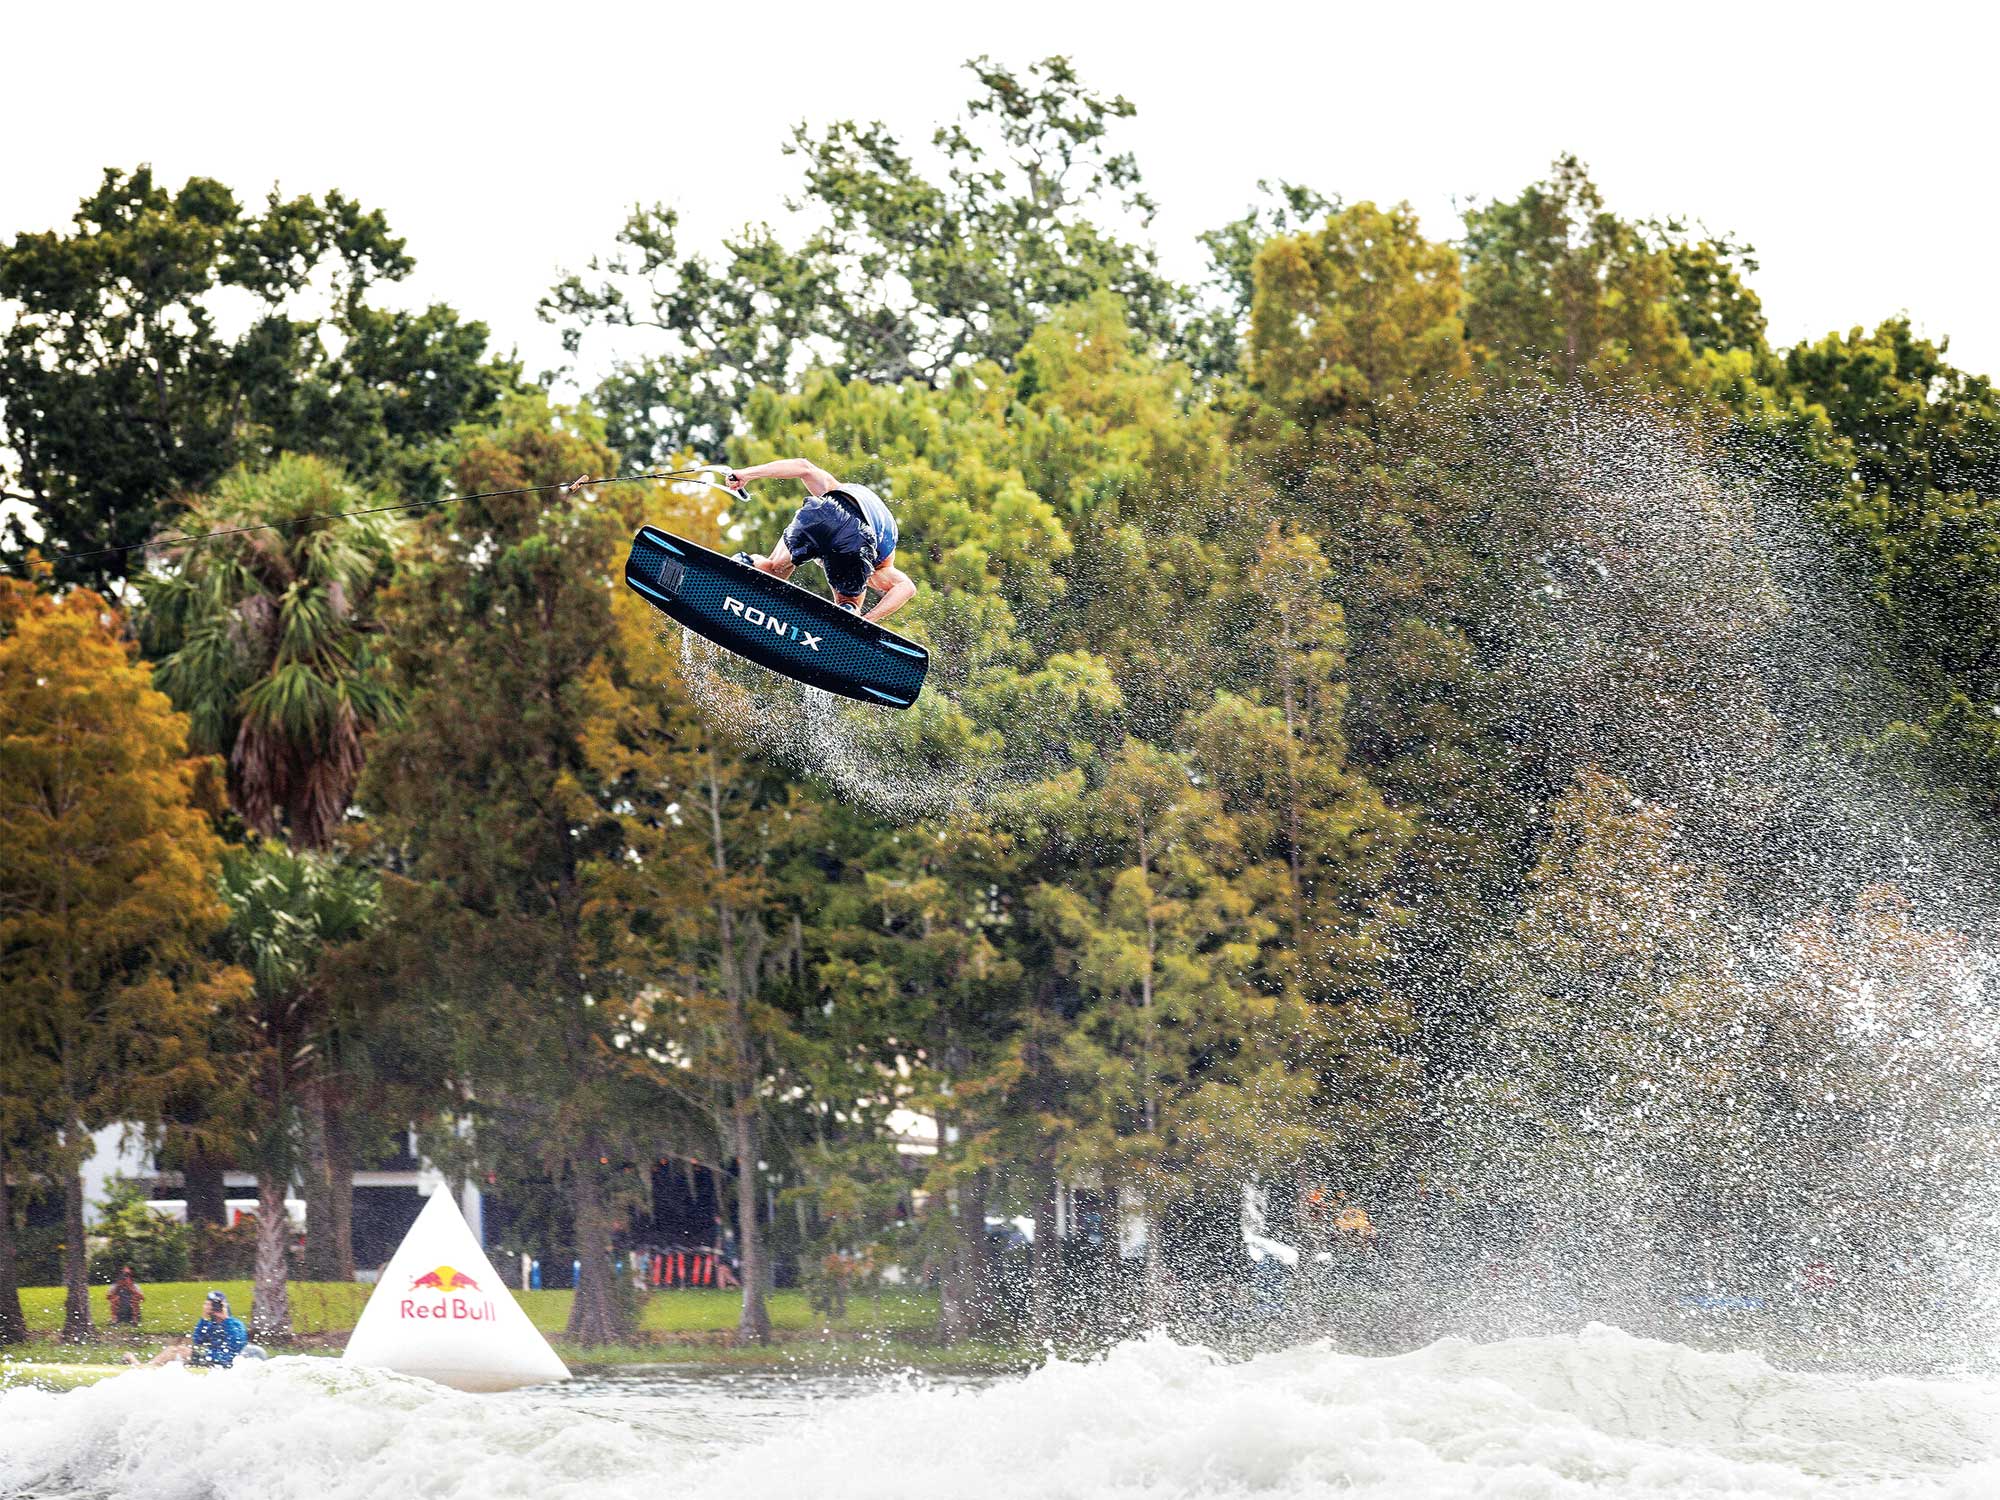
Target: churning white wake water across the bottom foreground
(1589, 1415)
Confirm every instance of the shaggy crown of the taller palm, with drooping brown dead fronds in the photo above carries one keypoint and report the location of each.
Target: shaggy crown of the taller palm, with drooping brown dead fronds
(263, 639)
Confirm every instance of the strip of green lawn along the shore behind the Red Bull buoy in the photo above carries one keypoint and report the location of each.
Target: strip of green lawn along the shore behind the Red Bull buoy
(685, 1325)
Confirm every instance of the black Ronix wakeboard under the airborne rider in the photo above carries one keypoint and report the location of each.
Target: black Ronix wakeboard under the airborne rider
(775, 625)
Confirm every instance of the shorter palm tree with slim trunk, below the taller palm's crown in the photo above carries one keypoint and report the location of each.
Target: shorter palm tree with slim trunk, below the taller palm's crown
(287, 909)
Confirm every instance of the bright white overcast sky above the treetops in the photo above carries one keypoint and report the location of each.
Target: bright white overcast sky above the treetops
(507, 143)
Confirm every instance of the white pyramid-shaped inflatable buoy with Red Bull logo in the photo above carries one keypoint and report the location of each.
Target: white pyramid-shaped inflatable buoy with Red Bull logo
(443, 1313)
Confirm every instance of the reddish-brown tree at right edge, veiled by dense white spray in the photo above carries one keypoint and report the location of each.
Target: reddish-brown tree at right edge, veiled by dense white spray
(1861, 1099)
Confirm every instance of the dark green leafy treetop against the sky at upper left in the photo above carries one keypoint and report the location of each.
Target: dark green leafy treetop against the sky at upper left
(121, 393)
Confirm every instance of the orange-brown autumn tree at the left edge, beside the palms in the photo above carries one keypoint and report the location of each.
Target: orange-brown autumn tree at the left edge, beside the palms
(107, 897)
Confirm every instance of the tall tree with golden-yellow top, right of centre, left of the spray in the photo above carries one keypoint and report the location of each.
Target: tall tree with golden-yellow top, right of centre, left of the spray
(1357, 433)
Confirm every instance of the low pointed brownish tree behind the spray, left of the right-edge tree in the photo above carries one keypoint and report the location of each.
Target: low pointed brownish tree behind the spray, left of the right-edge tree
(1615, 975)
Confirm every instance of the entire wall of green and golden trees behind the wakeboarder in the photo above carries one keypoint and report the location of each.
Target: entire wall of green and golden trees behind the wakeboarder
(1459, 727)
